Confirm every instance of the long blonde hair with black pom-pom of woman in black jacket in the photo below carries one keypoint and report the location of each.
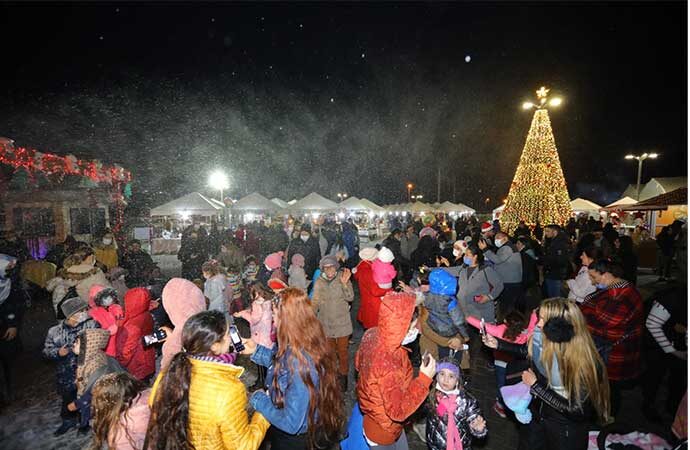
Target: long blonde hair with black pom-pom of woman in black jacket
(582, 371)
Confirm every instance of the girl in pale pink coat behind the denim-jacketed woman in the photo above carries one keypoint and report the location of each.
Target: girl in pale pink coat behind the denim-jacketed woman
(260, 318)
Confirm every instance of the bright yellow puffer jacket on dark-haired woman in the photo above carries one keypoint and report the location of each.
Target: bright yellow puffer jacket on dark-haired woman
(218, 416)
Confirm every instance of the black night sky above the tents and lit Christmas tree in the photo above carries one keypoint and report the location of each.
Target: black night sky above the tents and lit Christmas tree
(361, 98)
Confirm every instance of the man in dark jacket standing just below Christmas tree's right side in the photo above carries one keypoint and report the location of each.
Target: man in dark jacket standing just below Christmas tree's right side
(556, 260)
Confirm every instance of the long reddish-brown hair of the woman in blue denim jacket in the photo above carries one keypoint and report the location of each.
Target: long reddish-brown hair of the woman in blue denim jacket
(300, 347)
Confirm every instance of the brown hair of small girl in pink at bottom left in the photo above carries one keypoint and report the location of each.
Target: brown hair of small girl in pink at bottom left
(113, 395)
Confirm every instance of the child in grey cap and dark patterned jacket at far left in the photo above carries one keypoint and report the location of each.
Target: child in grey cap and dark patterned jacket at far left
(58, 347)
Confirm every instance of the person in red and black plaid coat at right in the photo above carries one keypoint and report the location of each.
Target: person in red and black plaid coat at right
(615, 317)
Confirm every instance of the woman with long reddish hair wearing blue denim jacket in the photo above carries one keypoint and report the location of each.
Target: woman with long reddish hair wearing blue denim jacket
(304, 402)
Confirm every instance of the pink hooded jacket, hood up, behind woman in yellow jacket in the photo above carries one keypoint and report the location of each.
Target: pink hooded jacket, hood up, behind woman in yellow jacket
(181, 300)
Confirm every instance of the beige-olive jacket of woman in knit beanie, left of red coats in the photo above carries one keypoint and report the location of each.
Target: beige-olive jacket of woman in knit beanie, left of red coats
(331, 301)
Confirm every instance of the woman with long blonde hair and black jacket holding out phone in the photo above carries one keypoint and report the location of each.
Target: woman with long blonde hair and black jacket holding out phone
(567, 378)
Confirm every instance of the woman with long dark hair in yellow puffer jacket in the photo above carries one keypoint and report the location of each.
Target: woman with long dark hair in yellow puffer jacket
(199, 400)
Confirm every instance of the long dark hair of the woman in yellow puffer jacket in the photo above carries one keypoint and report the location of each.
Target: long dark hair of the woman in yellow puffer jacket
(170, 411)
